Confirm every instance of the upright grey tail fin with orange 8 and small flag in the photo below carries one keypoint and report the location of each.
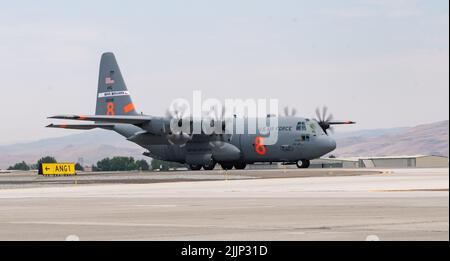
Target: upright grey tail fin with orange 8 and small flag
(113, 97)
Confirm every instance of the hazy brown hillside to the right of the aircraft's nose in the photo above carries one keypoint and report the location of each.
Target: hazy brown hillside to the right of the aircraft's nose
(429, 139)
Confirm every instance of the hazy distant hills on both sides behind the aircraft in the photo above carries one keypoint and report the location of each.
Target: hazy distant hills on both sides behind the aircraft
(91, 146)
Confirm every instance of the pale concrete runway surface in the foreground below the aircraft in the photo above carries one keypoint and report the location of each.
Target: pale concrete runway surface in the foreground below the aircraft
(401, 204)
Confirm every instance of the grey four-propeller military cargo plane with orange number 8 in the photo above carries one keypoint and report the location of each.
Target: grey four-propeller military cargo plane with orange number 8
(299, 139)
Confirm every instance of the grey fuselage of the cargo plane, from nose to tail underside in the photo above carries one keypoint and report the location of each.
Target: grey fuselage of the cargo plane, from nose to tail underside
(298, 139)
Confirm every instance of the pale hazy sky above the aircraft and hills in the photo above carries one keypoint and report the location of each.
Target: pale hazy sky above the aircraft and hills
(382, 63)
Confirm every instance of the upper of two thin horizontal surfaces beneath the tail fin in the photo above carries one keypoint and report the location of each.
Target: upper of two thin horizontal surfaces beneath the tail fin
(136, 120)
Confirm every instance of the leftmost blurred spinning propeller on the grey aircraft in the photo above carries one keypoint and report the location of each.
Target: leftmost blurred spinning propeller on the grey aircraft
(176, 114)
